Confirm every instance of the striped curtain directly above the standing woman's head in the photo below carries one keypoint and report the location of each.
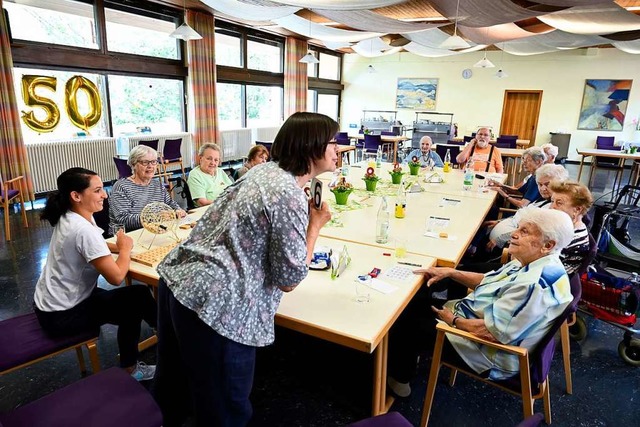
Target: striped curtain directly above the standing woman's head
(295, 77)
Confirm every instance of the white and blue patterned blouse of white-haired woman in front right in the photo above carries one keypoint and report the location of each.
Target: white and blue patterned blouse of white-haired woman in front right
(518, 305)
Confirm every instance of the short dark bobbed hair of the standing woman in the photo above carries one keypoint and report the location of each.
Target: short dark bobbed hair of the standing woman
(302, 139)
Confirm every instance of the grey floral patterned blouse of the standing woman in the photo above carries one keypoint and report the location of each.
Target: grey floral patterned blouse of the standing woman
(249, 242)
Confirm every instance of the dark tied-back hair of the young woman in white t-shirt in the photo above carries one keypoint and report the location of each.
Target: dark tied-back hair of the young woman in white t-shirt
(59, 202)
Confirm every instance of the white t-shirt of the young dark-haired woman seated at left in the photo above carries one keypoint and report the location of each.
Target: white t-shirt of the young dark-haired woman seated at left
(68, 277)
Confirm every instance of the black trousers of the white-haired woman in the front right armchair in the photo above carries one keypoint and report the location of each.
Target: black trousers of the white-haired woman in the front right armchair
(414, 332)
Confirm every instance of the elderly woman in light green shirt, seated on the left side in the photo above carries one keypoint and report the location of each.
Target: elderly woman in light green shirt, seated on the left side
(206, 181)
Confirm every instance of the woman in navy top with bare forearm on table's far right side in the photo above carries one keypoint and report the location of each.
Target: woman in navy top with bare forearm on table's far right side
(532, 159)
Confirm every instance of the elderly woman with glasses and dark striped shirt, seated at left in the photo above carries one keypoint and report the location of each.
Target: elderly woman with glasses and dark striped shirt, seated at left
(130, 195)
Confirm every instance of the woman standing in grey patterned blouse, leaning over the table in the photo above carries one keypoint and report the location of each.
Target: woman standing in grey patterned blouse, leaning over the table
(220, 289)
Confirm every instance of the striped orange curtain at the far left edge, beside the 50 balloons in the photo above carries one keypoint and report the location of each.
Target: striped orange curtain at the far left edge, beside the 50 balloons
(13, 154)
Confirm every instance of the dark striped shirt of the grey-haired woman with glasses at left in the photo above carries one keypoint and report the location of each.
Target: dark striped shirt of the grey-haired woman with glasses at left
(127, 199)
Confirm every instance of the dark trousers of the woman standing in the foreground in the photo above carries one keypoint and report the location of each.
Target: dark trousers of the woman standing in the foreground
(199, 371)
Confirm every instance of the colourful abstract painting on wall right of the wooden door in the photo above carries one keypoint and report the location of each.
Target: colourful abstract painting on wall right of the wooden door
(604, 104)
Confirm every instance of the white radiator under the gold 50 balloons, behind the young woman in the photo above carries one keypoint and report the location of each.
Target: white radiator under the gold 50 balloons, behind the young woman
(47, 160)
